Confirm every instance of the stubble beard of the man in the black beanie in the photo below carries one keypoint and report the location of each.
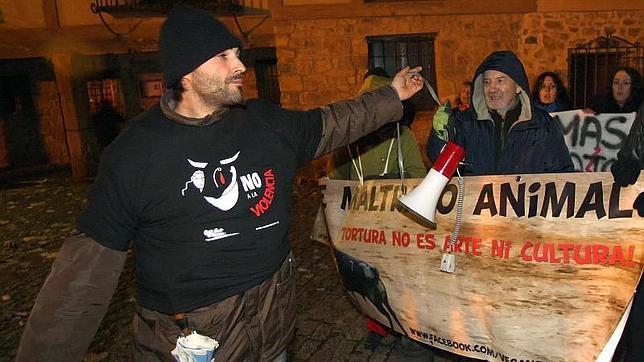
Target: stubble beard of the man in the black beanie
(215, 93)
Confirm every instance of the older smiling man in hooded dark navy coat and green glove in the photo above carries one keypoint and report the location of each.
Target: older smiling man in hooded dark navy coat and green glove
(502, 132)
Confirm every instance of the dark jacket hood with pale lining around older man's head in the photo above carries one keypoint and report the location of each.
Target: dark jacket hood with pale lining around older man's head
(506, 62)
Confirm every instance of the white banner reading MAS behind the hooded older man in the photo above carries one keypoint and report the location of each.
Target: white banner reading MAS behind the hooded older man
(594, 140)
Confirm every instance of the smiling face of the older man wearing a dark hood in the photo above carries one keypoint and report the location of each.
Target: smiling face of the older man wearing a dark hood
(500, 90)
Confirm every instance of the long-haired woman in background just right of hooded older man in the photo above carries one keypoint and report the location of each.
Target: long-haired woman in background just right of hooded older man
(550, 94)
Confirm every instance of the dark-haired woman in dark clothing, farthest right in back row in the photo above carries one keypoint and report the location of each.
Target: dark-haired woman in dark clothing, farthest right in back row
(625, 93)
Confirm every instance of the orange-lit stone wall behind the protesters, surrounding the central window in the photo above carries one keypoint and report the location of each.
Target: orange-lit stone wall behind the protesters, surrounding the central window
(321, 60)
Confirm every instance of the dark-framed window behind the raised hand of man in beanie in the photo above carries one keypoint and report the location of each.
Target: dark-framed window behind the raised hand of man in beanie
(394, 52)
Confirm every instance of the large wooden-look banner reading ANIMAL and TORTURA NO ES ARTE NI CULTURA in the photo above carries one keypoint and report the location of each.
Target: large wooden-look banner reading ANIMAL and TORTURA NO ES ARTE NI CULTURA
(546, 265)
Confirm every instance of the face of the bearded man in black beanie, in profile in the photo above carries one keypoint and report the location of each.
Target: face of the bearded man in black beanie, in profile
(219, 81)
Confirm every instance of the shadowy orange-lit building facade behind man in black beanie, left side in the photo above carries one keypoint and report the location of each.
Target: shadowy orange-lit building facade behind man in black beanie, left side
(80, 54)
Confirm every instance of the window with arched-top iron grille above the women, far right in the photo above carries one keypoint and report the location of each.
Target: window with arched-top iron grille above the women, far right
(591, 64)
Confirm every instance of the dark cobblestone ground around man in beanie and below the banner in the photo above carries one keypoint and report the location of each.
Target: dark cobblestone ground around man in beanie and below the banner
(36, 215)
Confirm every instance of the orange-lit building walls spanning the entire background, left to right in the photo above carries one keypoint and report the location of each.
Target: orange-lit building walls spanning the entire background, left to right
(320, 47)
